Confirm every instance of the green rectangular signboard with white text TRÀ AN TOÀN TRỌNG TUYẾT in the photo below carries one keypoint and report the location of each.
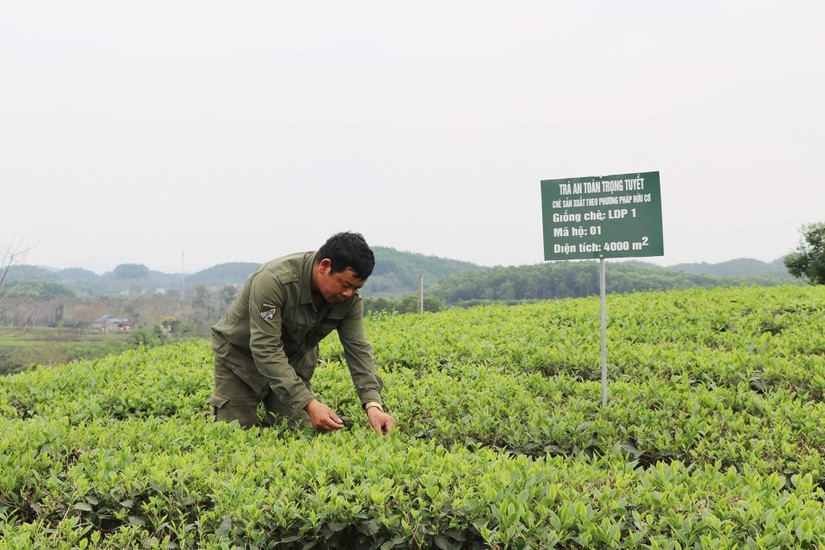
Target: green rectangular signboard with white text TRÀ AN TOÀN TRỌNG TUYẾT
(616, 216)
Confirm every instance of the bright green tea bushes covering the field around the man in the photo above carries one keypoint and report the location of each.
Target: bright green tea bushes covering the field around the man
(713, 437)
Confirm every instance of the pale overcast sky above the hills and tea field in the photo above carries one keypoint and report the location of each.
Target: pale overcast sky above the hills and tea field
(181, 135)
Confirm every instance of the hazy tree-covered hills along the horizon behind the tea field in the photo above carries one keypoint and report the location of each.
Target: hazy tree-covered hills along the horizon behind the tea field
(397, 273)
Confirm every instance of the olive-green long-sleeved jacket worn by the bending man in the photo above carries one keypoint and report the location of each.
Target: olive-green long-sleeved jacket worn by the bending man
(273, 319)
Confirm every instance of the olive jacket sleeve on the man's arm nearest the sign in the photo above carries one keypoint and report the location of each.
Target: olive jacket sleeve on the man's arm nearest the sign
(359, 355)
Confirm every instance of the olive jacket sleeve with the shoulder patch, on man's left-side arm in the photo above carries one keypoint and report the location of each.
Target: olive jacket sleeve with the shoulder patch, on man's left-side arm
(267, 298)
